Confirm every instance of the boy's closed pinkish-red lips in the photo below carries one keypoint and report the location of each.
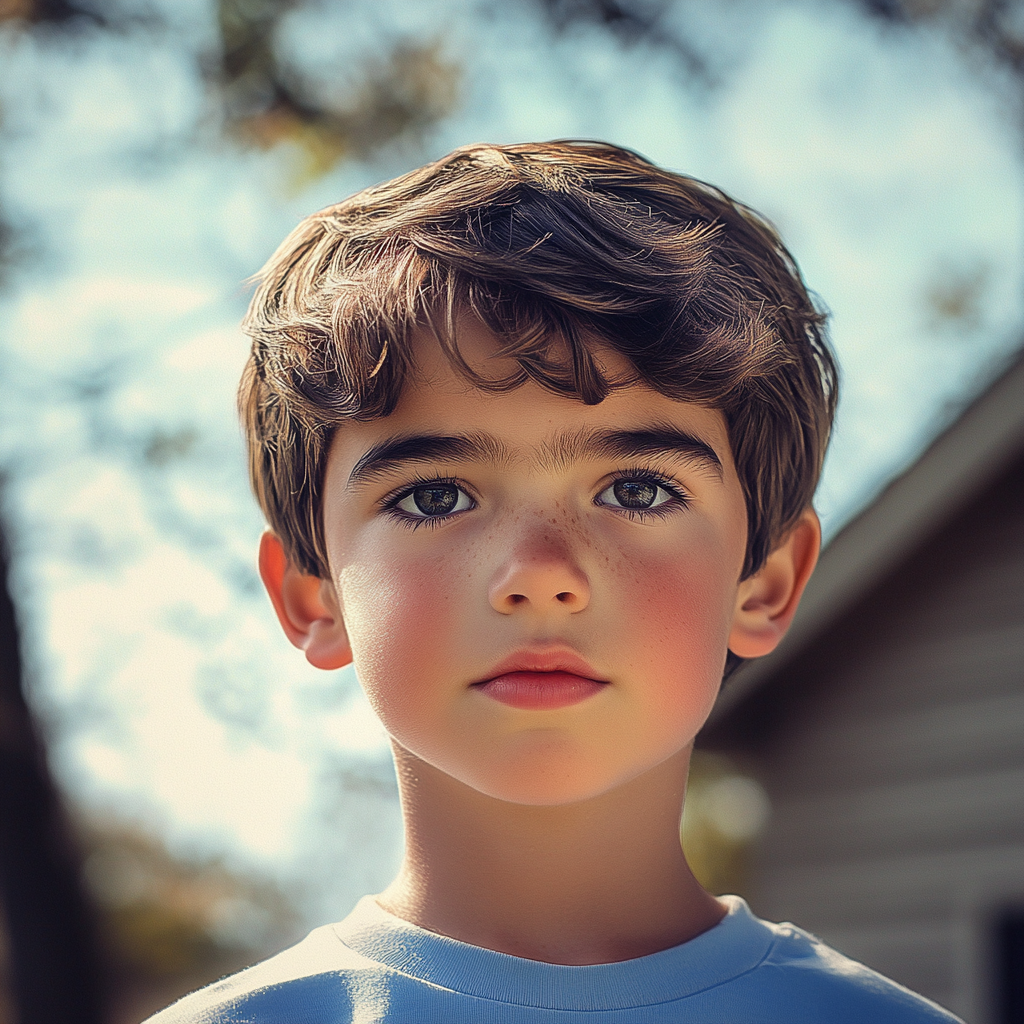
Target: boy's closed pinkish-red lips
(542, 681)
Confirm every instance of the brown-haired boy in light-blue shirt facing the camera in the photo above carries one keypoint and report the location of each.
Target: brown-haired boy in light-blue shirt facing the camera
(537, 431)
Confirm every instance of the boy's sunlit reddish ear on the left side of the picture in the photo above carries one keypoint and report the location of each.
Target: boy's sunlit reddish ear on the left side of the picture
(308, 608)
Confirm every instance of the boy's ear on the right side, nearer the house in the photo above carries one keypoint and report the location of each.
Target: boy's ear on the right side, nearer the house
(767, 602)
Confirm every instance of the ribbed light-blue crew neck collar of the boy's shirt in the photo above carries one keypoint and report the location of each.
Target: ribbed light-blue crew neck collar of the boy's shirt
(734, 947)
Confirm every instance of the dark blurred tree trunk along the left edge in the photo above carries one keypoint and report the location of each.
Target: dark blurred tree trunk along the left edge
(54, 963)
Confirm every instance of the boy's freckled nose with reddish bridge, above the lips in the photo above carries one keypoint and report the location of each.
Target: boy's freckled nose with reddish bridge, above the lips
(542, 575)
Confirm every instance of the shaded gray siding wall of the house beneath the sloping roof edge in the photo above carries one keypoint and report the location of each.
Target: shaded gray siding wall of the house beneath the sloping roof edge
(893, 752)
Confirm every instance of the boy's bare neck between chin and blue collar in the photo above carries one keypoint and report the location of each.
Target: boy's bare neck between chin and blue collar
(594, 882)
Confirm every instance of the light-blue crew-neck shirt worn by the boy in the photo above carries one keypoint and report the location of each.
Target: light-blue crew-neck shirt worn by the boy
(374, 967)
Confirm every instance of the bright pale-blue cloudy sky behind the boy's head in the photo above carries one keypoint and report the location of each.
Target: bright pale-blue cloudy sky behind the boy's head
(890, 162)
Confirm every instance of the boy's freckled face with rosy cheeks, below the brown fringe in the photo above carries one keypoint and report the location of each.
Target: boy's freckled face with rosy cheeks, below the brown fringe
(540, 608)
